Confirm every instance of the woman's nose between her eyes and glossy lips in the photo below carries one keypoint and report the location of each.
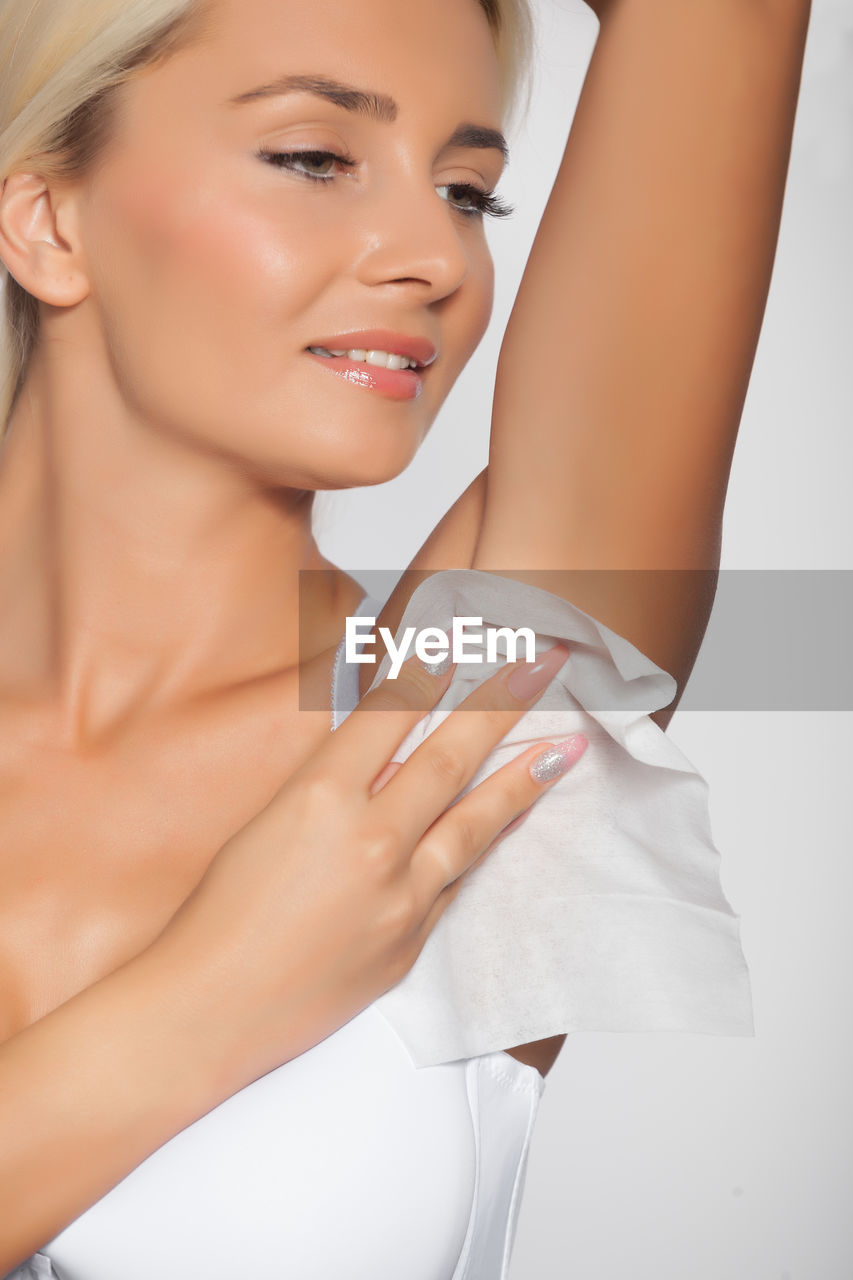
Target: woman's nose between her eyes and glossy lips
(409, 235)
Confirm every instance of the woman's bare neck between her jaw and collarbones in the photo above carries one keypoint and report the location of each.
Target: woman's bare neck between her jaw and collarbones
(136, 570)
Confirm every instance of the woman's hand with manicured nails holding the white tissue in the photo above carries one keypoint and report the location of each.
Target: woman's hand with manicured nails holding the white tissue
(325, 900)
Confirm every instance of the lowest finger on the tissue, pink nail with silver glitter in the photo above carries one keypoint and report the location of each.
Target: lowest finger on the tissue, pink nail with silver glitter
(457, 842)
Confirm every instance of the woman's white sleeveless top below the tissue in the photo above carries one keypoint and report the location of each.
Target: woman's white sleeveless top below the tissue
(346, 1162)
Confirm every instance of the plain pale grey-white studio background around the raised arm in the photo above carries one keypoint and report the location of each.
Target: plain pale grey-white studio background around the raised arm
(674, 1156)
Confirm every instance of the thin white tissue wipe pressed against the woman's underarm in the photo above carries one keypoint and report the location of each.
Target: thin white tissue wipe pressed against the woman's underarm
(604, 911)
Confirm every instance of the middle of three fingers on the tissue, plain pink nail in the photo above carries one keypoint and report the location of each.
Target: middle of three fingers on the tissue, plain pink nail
(449, 758)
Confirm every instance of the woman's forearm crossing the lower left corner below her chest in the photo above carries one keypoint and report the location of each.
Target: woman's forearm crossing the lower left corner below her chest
(93, 1089)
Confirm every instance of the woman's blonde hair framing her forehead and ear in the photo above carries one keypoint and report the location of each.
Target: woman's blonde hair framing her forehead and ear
(61, 62)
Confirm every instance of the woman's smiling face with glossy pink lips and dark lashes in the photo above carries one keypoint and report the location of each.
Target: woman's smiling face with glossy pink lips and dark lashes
(215, 267)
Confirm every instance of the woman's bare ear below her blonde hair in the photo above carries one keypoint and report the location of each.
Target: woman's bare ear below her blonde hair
(38, 243)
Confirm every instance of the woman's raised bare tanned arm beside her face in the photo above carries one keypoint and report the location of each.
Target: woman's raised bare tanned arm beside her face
(628, 354)
